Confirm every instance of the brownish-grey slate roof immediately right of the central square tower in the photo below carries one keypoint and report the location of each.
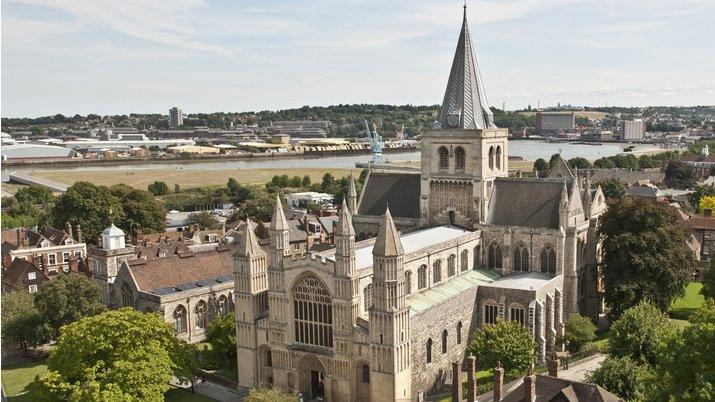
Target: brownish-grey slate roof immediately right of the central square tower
(526, 202)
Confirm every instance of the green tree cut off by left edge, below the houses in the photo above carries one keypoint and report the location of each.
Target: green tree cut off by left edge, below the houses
(21, 322)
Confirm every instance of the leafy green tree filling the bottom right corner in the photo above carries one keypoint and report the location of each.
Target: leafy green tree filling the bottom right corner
(686, 365)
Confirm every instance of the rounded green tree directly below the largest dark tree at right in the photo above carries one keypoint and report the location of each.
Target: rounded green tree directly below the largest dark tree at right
(639, 332)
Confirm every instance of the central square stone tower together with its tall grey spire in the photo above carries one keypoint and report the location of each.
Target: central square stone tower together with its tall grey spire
(465, 152)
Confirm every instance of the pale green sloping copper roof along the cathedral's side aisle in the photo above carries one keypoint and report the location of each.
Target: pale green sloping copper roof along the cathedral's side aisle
(423, 301)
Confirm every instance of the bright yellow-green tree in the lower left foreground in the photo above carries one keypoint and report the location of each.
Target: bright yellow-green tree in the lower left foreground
(118, 355)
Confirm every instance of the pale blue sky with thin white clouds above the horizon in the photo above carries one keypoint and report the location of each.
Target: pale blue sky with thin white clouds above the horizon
(138, 56)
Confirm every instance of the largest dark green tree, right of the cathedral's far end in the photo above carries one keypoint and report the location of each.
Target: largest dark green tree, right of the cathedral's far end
(645, 255)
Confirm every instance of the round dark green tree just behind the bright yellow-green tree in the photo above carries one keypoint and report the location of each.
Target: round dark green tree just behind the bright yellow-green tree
(66, 299)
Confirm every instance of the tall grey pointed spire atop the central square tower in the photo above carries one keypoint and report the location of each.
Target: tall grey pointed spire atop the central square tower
(465, 103)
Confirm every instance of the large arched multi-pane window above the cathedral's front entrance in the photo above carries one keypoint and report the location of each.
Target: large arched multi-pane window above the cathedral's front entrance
(313, 312)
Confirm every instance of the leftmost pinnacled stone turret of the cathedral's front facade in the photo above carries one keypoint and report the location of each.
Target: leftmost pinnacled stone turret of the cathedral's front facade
(251, 285)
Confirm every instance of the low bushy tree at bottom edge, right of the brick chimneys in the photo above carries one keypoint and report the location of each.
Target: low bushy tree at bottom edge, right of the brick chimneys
(623, 376)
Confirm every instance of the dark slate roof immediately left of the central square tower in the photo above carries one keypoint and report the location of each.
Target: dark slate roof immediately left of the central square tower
(400, 190)
